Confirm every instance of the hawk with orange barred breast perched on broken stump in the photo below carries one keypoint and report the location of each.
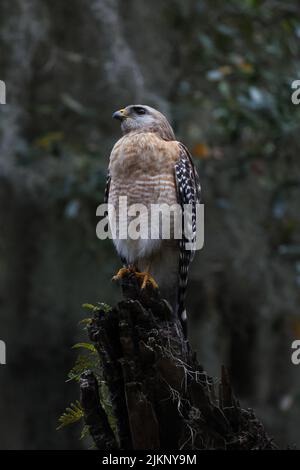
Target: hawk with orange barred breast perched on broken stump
(149, 166)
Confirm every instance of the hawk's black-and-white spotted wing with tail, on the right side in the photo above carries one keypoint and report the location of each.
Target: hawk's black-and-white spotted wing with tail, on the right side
(188, 192)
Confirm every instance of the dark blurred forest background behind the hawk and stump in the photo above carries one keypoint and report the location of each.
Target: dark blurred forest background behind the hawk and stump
(222, 72)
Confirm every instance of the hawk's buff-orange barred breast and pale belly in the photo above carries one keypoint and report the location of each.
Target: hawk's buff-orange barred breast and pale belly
(142, 173)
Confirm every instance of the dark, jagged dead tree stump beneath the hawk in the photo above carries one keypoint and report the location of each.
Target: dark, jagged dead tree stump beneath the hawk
(161, 398)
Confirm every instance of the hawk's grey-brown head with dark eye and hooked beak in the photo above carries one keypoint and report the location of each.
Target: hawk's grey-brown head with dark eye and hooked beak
(137, 117)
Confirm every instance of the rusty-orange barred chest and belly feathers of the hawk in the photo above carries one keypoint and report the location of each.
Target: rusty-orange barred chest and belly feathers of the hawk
(142, 169)
